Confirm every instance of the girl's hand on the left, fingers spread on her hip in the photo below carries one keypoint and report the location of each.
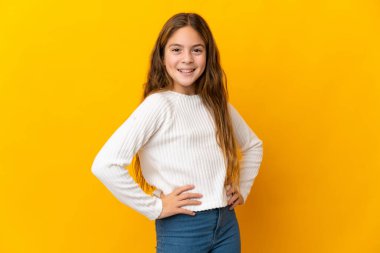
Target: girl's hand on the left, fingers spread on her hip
(172, 203)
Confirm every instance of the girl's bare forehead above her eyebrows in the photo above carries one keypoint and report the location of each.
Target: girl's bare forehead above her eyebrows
(185, 36)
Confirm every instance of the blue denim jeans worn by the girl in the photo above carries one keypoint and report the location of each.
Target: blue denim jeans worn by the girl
(209, 231)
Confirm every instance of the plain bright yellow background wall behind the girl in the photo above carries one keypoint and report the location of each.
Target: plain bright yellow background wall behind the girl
(304, 74)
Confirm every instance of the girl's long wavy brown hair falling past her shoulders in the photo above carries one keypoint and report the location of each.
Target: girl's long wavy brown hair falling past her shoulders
(211, 86)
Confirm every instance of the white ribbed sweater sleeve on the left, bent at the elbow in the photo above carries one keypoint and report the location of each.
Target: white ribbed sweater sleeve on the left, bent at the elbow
(118, 152)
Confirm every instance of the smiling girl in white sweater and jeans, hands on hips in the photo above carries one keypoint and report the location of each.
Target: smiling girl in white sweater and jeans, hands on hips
(185, 136)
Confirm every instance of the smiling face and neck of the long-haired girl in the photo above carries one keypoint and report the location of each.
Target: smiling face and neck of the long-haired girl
(185, 59)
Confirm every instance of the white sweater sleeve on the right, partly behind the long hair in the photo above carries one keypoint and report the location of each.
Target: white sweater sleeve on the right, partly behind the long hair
(252, 152)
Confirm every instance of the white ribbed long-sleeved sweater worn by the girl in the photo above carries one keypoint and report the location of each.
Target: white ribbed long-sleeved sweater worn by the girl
(174, 135)
